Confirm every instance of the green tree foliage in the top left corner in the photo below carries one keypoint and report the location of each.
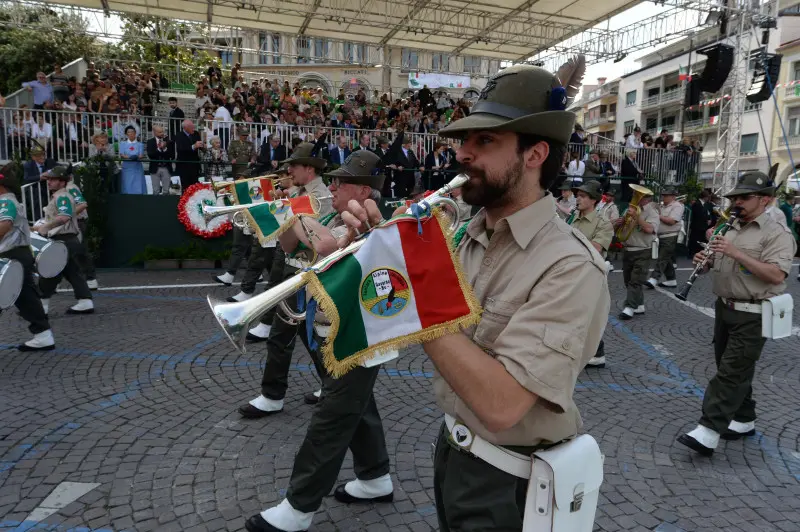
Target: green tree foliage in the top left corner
(25, 51)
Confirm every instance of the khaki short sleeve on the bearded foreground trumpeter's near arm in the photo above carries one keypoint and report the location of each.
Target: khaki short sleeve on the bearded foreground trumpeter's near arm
(543, 346)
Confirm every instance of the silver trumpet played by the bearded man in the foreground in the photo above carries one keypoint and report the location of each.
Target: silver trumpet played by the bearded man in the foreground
(237, 318)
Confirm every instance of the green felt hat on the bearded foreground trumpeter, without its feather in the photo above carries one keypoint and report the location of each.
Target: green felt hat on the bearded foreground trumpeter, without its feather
(521, 99)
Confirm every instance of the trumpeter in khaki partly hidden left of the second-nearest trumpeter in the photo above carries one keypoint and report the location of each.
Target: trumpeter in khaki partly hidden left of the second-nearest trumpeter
(304, 167)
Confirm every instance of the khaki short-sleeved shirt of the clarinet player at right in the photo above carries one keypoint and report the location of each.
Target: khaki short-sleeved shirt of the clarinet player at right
(763, 239)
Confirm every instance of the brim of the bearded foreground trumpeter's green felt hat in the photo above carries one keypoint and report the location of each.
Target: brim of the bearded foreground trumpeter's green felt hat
(556, 125)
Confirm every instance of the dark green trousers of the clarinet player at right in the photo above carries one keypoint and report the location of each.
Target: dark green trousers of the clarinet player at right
(737, 347)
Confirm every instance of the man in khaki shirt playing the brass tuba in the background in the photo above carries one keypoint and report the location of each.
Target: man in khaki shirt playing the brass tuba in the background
(638, 255)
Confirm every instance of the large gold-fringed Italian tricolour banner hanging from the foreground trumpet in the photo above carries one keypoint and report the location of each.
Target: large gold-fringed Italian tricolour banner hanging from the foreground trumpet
(399, 288)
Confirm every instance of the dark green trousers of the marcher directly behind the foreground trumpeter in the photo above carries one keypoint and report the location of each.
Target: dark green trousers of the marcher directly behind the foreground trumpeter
(346, 417)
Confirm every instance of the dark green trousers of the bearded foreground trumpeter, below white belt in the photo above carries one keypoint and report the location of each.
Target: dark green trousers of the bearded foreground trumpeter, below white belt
(472, 495)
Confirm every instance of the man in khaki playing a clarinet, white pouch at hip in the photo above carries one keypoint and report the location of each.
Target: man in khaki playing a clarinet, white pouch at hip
(750, 264)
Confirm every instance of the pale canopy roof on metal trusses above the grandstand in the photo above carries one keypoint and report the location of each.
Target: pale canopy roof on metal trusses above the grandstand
(503, 29)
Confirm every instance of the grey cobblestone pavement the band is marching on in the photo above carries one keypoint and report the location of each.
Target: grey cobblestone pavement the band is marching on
(141, 398)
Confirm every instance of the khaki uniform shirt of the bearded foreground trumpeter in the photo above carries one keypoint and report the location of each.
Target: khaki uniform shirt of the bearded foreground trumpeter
(545, 297)
